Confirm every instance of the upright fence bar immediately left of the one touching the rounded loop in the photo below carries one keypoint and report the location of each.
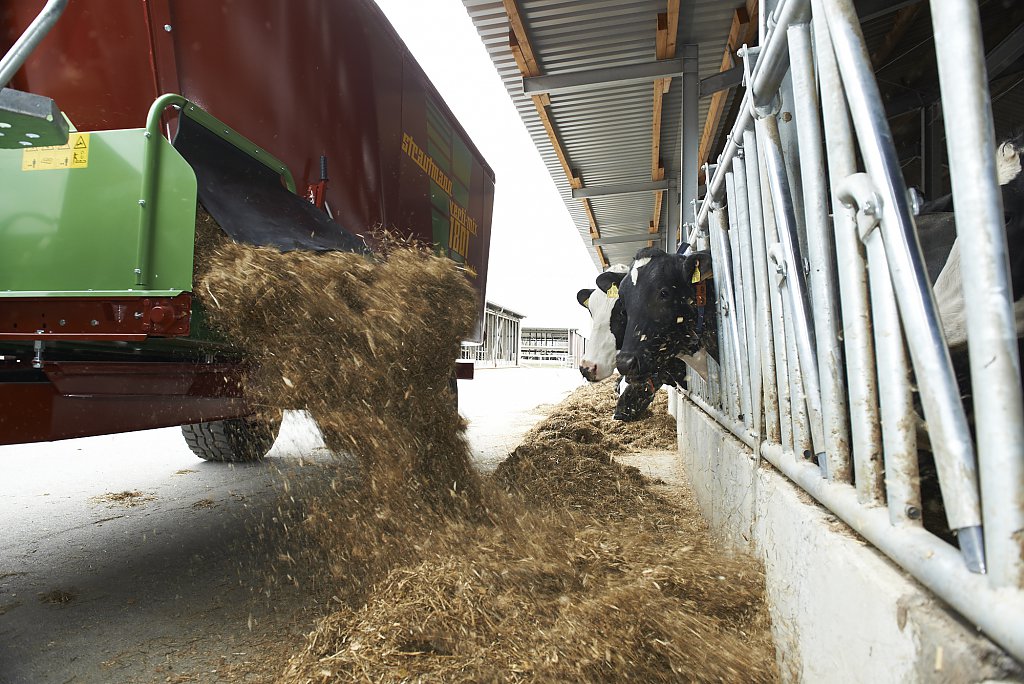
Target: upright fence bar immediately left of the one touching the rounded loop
(821, 250)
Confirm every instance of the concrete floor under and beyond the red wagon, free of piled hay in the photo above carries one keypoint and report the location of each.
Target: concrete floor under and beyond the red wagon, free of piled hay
(170, 586)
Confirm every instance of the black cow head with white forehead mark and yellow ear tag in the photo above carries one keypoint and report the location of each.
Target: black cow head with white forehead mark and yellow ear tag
(659, 319)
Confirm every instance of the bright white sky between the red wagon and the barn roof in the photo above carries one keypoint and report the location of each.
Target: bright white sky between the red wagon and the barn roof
(538, 261)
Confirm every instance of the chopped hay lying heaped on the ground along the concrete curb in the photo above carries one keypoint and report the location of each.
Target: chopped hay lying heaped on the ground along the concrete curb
(580, 574)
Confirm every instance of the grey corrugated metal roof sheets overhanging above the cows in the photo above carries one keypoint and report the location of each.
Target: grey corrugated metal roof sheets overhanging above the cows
(606, 133)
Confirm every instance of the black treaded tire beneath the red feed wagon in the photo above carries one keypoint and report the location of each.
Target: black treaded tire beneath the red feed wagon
(232, 441)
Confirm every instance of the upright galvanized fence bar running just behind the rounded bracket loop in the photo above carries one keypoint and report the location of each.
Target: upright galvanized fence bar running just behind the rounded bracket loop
(852, 273)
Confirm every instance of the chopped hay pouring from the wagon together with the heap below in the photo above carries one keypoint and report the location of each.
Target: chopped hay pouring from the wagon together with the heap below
(564, 566)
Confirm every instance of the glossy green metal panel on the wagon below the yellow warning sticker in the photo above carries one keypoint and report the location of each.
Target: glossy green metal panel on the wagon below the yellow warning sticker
(76, 232)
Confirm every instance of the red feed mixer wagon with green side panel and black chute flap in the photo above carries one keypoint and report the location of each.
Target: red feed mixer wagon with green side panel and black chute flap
(300, 125)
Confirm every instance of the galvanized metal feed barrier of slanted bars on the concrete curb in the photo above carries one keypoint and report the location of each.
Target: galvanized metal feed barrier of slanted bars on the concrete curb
(816, 363)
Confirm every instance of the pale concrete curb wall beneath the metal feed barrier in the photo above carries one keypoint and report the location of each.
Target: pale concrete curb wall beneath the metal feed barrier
(841, 611)
